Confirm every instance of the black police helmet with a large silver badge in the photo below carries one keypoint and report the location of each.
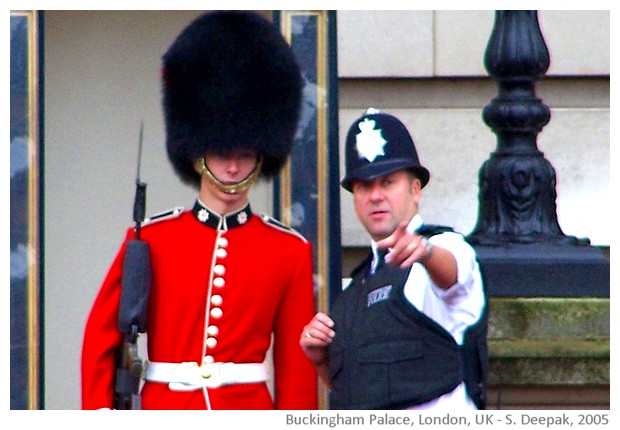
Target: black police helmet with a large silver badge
(378, 144)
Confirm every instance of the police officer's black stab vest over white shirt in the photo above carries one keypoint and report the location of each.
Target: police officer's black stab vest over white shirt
(388, 355)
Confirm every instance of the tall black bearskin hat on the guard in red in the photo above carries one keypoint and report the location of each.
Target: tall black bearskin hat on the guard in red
(230, 81)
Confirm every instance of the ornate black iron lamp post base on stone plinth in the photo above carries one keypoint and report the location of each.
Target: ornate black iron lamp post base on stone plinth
(522, 249)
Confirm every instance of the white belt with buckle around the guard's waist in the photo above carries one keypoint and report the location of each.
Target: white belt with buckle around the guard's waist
(189, 376)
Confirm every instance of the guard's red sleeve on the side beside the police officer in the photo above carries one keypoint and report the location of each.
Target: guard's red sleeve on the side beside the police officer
(296, 381)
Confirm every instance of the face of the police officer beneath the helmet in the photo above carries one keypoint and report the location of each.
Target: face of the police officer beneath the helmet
(383, 203)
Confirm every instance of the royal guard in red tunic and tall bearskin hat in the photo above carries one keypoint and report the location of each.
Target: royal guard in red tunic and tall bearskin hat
(228, 286)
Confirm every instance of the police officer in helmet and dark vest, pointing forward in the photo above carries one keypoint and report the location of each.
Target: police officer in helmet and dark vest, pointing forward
(409, 334)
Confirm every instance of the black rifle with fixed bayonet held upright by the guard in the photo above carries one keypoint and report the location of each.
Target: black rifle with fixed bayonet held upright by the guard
(132, 316)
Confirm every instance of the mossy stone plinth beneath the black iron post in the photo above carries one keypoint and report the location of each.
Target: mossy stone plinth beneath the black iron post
(549, 353)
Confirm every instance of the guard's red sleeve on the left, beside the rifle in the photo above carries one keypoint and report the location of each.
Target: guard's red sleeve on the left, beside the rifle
(101, 341)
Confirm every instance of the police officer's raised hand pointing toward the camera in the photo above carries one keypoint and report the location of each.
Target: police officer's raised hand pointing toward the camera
(405, 248)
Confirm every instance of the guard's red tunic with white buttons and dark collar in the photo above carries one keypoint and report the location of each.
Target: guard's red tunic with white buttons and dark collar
(264, 287)
